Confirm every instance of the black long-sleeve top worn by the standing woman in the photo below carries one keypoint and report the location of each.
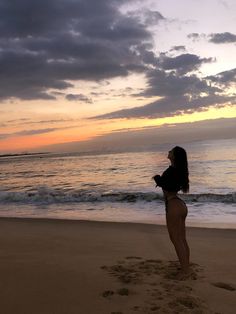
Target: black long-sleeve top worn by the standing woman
(169, 180)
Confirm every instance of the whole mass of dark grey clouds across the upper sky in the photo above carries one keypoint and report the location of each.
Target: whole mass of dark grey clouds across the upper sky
(46, 45)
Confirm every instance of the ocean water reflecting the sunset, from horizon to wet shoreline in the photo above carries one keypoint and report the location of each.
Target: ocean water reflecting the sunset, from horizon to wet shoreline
(119, 186)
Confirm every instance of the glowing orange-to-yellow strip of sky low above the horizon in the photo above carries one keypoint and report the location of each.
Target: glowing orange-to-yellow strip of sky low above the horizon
(92, 128)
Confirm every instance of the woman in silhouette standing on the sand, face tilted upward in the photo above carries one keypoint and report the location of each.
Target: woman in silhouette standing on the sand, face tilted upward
(174, 179)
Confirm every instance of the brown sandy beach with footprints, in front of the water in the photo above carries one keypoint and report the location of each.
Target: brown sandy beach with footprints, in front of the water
(81, 267)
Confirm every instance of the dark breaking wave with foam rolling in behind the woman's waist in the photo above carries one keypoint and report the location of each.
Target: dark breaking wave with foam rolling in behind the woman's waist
(48, 195)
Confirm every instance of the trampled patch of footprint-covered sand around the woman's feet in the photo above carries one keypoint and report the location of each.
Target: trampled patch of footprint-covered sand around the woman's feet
(157, 280)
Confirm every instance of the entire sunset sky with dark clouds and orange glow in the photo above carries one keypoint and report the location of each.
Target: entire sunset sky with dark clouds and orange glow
(79, 70)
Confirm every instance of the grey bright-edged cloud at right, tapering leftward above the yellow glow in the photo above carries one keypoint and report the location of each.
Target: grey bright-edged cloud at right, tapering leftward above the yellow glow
(176, 81)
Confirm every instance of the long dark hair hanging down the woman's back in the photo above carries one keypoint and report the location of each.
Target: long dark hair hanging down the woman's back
(181, 164)
